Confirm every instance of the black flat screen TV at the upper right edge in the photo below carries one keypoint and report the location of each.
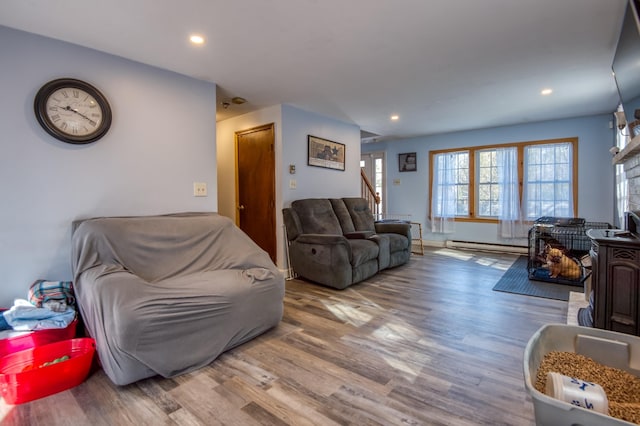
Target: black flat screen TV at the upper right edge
(626, 63)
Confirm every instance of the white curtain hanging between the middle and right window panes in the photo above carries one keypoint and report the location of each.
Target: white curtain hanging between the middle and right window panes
(511, 224)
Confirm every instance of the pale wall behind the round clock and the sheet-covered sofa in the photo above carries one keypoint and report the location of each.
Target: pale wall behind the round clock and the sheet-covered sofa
(162, 139)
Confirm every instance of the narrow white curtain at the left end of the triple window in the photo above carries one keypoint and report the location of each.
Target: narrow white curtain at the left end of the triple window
(443, 198)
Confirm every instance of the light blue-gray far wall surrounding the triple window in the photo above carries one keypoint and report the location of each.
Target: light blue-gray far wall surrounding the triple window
(595, 172)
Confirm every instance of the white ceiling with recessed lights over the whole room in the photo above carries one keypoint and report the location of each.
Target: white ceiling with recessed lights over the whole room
(441, 65)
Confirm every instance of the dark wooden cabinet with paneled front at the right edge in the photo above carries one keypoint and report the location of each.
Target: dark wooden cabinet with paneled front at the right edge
(615, 258)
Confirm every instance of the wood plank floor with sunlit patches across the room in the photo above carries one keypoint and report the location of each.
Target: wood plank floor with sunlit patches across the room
(425, 343)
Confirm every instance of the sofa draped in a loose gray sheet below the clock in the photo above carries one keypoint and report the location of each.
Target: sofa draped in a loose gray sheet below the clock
(168, 294)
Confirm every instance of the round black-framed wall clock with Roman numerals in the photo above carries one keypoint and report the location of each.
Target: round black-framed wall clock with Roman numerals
(72, 111)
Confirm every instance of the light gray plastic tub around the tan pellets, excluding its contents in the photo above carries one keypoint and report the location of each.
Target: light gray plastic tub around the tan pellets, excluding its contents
(609, 348)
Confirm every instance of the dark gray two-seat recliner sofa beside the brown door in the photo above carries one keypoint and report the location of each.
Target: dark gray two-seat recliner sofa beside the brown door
(336, 242)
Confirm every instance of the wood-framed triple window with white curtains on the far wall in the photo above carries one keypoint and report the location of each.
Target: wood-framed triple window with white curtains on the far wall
(540, 174)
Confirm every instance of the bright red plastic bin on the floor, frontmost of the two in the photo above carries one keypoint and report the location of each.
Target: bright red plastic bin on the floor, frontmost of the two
(23, 378)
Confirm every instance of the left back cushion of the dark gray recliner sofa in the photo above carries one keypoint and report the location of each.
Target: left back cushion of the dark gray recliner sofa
(317, 216)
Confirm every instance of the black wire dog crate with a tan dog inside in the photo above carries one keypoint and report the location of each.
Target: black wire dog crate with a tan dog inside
(557, 247)
